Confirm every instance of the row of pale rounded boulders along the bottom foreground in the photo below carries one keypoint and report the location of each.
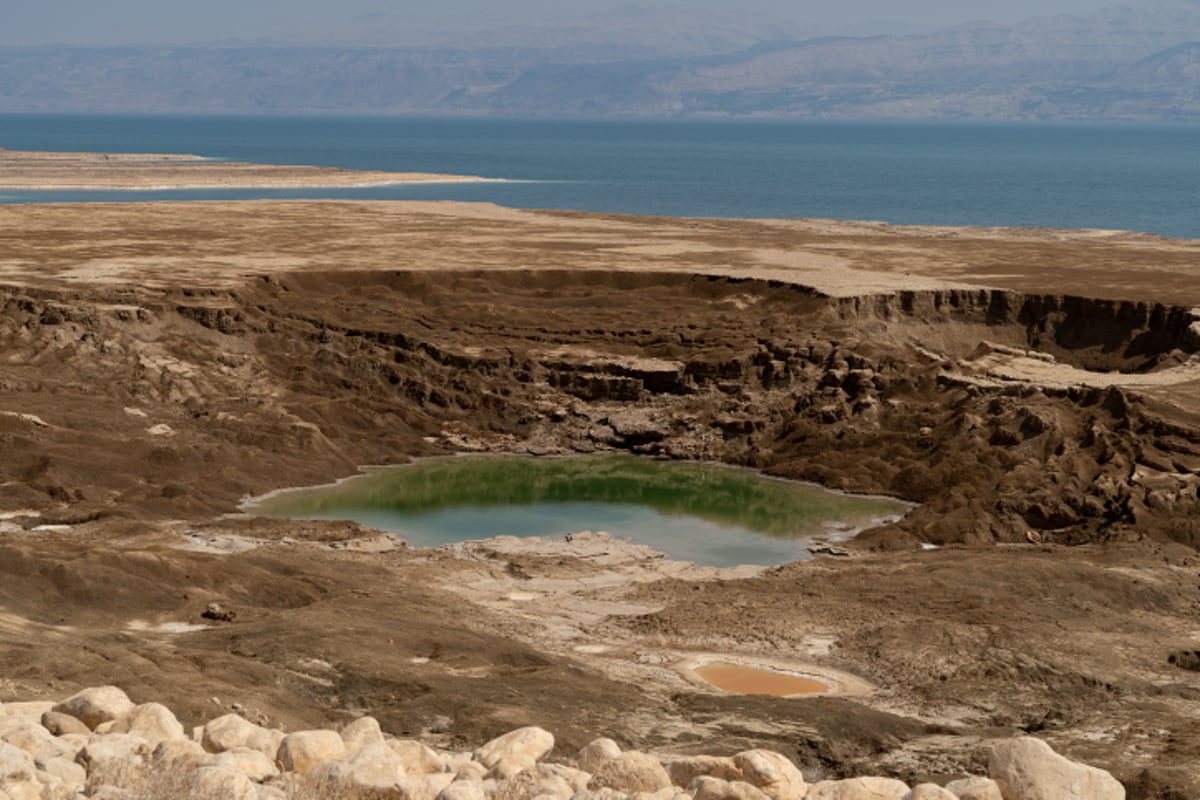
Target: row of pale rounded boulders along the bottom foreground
(98, 744)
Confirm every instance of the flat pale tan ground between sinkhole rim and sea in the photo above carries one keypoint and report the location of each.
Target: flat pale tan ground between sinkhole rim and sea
(221, 243)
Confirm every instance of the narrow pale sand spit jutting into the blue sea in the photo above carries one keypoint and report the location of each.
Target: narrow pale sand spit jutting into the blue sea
(33, 171)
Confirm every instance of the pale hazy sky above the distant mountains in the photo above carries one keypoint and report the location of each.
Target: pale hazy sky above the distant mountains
(109, 22)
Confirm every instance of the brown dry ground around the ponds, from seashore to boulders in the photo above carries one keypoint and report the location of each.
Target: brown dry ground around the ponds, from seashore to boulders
(1035, 390)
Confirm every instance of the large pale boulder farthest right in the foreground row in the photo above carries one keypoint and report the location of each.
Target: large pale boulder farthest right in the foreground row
(1029, 769)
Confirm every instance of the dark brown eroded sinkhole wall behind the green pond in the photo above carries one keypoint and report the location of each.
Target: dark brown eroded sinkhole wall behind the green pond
(1007, 417)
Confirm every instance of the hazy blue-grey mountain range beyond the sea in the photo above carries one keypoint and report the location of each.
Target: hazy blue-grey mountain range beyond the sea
(1135, 63)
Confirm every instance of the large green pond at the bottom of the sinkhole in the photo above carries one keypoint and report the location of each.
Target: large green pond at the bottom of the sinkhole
(707, 514)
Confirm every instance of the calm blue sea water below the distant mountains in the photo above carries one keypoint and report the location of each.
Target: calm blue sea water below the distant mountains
(1066, 176)
